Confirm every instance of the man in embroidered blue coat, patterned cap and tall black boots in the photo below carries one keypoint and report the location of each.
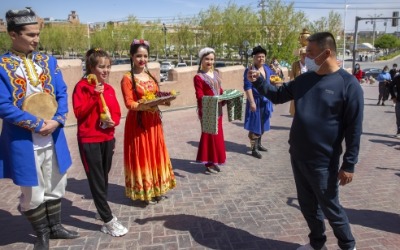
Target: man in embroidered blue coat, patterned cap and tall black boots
(33, 151)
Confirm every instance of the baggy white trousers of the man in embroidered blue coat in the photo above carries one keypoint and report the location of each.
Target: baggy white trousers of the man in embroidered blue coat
(51, 184)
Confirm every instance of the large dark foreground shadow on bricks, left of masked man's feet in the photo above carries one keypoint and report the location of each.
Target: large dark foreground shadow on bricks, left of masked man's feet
(213, 234)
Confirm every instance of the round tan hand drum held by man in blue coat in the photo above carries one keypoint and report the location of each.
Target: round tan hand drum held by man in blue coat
(42, 105)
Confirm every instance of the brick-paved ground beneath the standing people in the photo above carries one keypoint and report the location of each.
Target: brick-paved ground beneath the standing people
(251, 204)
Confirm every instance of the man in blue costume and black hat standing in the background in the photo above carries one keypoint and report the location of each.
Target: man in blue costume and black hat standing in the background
(258, 107)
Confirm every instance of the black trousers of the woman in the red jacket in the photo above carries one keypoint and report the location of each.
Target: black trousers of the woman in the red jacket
(97, 160)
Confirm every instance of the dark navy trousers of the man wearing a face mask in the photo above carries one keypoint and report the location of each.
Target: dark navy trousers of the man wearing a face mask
(318, 193)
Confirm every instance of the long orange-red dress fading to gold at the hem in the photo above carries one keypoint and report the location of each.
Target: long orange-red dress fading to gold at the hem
(148, 168)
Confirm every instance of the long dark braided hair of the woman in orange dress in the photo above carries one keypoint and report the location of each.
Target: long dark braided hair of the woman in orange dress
(135, 45)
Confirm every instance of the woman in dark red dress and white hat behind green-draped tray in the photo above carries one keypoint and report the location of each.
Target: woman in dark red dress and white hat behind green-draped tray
(207, 82)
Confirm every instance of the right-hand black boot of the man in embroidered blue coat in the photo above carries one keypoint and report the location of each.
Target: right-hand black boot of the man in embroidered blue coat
(54, 216)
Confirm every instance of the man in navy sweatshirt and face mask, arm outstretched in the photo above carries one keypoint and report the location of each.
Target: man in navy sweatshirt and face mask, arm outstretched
(329, 107)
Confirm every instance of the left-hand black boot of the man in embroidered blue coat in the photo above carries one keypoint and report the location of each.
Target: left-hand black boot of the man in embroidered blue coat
(38, 219)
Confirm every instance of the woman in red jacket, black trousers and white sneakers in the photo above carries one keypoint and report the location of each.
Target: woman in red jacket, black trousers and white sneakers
(97, 111)
